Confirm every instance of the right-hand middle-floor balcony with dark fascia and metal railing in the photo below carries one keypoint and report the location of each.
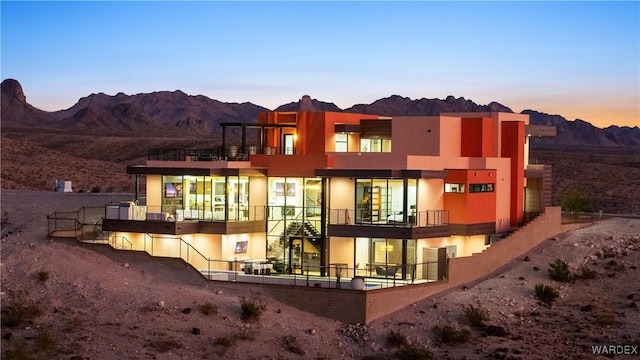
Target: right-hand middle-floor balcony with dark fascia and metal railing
(419, 225)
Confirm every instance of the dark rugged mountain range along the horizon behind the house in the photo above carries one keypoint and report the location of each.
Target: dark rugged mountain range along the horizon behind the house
(174, 112)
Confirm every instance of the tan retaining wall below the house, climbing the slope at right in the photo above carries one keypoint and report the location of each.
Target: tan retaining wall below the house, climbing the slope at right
(351, 306)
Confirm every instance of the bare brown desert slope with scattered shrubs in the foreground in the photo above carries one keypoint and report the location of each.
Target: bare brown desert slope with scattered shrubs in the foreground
(63, 300)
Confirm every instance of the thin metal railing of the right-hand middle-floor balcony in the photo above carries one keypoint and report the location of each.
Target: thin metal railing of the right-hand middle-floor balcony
(425, 218)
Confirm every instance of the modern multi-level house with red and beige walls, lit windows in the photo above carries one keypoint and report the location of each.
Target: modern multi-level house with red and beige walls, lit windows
(312, 192)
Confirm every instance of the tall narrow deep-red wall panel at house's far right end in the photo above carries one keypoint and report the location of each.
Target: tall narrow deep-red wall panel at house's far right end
(513, 148)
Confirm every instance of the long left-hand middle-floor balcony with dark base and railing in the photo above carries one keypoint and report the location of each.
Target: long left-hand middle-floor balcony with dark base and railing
(129, 217)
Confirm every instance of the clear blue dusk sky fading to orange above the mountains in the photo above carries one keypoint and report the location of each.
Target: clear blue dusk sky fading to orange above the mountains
(576, 59)
